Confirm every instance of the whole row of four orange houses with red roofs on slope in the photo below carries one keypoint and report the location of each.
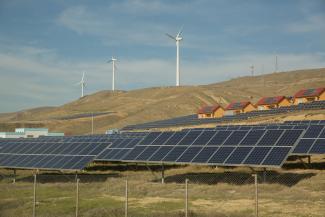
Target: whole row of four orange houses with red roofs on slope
(265, 103)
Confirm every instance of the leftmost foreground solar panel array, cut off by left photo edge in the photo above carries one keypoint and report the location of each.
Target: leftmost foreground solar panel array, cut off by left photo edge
(52, 153)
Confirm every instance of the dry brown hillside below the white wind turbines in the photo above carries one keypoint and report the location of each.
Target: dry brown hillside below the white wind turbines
(122, 108)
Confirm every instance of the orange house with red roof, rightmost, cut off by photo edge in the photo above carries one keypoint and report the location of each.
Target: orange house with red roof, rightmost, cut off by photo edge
(309, 95)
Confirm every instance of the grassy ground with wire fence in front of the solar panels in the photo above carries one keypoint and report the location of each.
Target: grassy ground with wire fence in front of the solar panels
(185, 192)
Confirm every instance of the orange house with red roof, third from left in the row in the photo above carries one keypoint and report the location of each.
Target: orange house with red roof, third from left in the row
(267, 103)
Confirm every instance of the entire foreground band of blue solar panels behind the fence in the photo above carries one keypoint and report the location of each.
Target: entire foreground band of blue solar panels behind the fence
(251, 146)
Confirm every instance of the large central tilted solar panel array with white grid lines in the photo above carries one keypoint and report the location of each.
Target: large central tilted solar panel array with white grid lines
(258, 148)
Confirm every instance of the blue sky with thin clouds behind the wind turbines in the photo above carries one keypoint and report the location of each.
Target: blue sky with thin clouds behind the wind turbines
(45, 46)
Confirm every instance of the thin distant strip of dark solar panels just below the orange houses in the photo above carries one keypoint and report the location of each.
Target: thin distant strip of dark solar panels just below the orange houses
(193, 120)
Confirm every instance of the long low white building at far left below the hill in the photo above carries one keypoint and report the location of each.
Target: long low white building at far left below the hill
(29, 133)
